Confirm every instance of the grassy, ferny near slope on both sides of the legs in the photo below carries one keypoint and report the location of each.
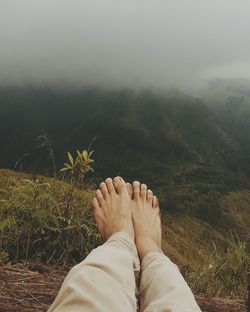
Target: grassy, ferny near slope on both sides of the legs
(42, 221)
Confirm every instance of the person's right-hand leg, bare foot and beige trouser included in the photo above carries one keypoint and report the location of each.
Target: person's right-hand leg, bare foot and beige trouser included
(162, 287)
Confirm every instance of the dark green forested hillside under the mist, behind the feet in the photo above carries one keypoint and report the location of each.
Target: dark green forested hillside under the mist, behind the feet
(192, 152)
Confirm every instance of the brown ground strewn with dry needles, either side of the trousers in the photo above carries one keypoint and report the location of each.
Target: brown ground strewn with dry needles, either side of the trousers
(34, 287)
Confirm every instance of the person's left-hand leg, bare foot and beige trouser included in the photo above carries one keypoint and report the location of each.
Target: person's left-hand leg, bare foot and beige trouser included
(105, 280)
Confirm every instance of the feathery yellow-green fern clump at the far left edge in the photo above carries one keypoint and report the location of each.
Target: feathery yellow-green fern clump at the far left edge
(26, 212)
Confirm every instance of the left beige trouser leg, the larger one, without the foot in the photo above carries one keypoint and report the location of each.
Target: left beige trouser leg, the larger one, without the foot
(104, 281)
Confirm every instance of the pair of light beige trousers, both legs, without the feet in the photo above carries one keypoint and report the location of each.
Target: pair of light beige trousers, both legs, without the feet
(106, 281)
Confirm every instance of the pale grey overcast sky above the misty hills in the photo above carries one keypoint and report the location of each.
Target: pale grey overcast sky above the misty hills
(124, 43)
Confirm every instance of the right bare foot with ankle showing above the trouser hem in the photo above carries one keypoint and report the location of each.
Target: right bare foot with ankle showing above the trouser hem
(146, 220)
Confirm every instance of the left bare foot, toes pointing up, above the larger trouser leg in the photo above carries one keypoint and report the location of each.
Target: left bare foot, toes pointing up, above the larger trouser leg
(112, 208)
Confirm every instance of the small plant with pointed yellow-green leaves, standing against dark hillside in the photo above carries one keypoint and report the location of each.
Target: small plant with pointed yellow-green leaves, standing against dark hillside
(79, 166)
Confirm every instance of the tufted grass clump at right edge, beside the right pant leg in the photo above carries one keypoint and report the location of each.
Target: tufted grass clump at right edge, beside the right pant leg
(223, 274)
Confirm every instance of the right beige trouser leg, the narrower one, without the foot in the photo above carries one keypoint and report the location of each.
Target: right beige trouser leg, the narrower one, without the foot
(162, 287)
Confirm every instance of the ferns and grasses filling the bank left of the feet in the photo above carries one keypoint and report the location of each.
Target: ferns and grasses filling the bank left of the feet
(46, 220)
